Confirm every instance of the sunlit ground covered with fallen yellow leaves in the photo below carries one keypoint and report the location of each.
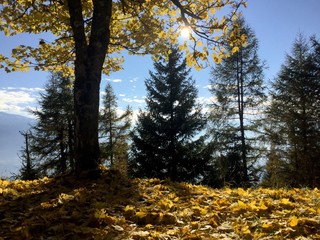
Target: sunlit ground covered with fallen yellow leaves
(114, 208)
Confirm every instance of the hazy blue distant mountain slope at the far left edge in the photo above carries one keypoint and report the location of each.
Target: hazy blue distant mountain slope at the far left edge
(11, 141)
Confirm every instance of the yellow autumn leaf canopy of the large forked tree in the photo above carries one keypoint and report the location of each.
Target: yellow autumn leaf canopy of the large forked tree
(140, 27)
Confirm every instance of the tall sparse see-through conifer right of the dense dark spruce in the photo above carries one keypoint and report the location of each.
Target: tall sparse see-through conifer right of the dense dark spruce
(237, 85)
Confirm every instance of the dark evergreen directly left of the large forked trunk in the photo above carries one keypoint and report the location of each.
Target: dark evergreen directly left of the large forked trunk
(52, 138)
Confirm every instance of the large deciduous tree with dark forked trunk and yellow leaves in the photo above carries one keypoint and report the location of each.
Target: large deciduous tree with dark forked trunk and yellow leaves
(86, 37)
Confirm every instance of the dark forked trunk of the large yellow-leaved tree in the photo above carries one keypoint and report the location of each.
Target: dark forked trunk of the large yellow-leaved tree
(90, 56)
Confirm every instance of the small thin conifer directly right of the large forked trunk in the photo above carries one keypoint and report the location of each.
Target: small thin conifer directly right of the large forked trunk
(114, 132)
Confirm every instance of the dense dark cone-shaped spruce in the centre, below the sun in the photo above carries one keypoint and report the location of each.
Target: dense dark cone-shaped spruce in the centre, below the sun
(164, 141)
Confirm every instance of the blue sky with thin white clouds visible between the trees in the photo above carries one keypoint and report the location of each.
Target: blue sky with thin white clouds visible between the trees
(275, 22)
